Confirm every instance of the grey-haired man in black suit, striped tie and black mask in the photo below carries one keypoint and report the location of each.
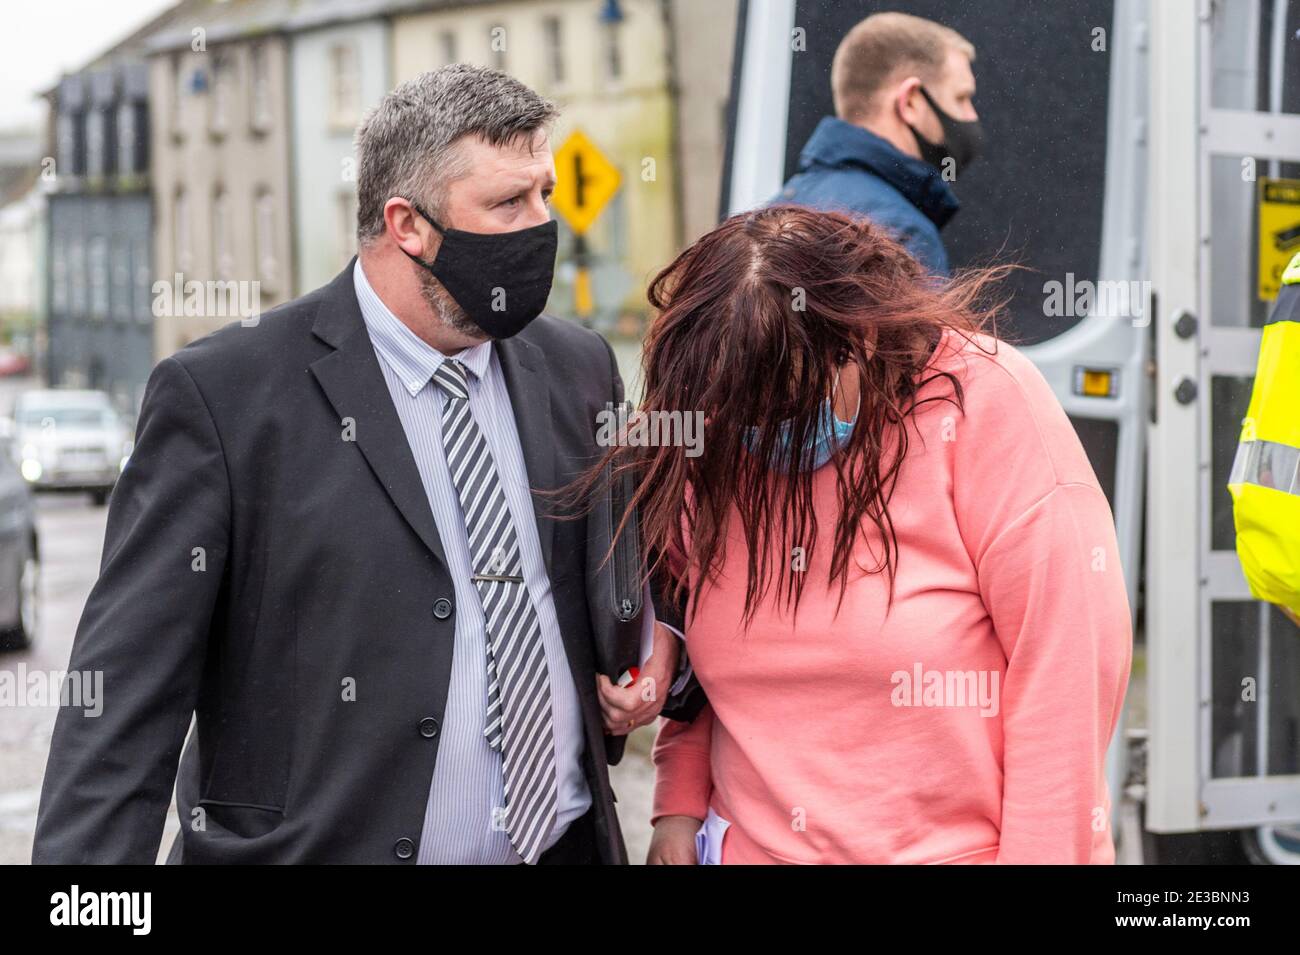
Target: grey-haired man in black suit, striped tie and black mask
(326, 548)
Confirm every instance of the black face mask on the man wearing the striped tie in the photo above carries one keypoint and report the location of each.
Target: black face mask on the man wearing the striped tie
(500, 280)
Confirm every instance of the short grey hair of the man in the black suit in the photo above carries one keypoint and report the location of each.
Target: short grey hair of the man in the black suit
(406, 146)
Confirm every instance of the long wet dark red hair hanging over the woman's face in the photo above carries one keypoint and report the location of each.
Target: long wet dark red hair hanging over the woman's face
(753, 323)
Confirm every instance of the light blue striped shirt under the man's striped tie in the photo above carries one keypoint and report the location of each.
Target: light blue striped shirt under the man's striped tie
(467, 783)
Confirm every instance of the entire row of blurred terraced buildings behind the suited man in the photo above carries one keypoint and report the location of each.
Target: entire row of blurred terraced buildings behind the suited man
(244, 171)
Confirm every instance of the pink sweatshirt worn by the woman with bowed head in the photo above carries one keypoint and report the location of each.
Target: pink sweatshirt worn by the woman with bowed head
(970, 723)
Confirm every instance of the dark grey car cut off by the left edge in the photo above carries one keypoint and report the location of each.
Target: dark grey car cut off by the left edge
(20, 561)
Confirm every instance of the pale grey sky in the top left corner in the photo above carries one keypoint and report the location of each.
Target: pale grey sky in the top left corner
(41, 40)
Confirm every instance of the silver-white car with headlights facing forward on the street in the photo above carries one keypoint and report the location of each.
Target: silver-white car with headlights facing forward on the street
(71, 441)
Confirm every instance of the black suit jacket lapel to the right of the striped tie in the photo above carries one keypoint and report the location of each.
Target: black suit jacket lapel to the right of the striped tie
(530, 392)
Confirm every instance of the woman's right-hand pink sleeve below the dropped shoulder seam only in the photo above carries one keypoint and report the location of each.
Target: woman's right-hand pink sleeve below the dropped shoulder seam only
(1056, 594)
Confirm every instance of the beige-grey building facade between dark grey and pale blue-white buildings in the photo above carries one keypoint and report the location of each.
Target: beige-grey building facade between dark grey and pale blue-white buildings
(219, 83)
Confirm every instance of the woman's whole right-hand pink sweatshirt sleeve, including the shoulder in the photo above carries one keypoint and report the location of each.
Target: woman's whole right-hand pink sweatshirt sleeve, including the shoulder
(1042, 540)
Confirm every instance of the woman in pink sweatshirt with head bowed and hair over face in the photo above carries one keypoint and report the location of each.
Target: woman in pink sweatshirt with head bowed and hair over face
(903, 592)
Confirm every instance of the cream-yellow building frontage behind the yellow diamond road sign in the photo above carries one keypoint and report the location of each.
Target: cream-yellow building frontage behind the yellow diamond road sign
(618, 72)
